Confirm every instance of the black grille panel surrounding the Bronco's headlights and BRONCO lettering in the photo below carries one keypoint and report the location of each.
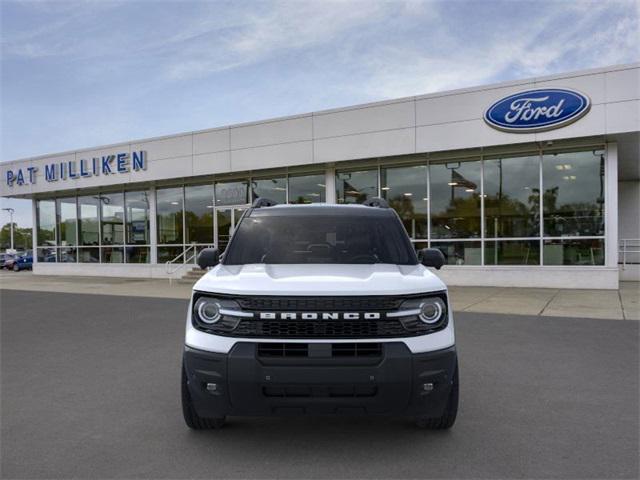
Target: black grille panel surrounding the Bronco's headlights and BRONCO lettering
(321, 328)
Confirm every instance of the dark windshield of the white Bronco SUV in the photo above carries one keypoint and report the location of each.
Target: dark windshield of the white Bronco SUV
(299, 238)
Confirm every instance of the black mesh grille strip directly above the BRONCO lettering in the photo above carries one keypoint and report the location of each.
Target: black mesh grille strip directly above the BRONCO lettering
(320, 304)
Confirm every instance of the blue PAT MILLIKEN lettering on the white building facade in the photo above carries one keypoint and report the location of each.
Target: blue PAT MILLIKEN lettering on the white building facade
(115, 164)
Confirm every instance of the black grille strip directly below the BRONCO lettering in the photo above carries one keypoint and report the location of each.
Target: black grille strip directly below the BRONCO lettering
(321, 329)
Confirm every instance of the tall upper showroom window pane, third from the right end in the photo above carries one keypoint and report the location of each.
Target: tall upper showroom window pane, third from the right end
(455, 199)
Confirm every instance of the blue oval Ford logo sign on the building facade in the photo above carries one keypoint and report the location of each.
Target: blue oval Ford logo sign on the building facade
(537, 110)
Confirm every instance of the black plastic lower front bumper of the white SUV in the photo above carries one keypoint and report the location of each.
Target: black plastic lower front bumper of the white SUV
(246, 383)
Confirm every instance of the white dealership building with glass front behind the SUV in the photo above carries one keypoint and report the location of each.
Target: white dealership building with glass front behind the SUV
(529, 183)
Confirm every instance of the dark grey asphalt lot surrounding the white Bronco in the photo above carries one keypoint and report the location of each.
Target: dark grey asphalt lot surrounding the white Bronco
(90, 389)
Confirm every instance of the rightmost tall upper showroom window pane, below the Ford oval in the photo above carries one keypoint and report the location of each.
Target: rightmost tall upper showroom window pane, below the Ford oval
(573, 198)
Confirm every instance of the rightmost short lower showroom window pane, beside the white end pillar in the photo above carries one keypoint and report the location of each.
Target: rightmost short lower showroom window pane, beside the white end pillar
(573, 252)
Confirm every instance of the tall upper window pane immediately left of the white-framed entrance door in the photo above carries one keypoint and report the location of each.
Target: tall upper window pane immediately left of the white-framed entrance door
(198, 213)
